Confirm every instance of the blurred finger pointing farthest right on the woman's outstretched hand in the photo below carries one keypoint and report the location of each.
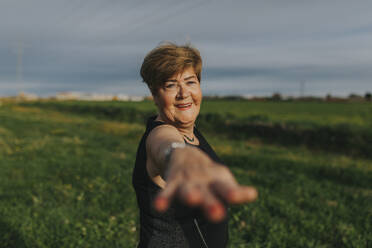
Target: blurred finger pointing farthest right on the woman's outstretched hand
(233, 193)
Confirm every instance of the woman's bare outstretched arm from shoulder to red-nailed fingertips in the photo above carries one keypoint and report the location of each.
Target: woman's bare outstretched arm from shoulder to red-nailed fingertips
(192, 176)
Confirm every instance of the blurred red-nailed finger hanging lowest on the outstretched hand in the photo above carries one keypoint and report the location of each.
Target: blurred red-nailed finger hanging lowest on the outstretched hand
(213, 208)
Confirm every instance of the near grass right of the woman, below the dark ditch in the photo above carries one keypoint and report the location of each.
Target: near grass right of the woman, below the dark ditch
(306, 199)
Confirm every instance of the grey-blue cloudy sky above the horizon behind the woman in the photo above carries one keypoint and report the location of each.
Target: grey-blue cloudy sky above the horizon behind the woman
(249, 47)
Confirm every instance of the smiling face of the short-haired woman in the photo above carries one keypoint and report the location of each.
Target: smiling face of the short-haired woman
(179, 99)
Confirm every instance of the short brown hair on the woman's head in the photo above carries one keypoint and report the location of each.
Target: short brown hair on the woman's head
(167, 59)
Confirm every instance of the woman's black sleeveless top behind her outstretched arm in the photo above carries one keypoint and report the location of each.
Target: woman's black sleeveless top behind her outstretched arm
(180, 226)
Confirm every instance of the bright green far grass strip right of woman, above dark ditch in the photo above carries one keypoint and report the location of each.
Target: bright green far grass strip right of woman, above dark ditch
(313, 113)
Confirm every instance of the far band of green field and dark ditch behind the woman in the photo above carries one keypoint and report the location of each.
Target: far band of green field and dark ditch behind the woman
(334, 127)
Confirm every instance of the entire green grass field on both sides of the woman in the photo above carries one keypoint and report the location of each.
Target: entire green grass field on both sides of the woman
(65, 172)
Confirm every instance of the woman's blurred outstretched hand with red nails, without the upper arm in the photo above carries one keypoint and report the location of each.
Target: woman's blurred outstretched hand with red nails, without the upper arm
(198, 181)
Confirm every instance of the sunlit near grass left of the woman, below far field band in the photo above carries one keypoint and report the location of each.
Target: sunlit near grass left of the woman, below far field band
(65, 180)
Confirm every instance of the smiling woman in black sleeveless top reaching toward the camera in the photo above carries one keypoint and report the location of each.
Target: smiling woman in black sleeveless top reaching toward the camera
(175, 162)
